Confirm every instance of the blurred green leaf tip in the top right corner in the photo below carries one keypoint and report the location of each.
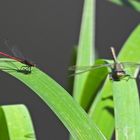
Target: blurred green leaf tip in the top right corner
(134, 4)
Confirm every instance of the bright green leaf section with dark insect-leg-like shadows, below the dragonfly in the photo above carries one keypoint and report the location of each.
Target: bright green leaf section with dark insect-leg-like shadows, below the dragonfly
(103, 109)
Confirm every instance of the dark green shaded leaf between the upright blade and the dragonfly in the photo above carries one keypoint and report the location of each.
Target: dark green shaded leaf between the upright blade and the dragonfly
(93, 82)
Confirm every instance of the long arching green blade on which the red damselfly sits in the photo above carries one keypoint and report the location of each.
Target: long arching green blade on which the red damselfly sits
(68, 111)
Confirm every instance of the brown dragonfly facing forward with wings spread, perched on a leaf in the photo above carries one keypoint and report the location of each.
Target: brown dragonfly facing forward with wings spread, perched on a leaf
(117, 68)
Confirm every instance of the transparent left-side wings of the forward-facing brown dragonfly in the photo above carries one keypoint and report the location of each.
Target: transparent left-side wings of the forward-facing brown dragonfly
(83, 69)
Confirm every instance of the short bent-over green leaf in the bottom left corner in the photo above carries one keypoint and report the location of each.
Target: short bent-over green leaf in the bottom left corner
(15, 123)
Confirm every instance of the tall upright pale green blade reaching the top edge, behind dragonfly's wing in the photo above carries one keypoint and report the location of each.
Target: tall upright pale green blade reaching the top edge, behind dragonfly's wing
(85, 56)
